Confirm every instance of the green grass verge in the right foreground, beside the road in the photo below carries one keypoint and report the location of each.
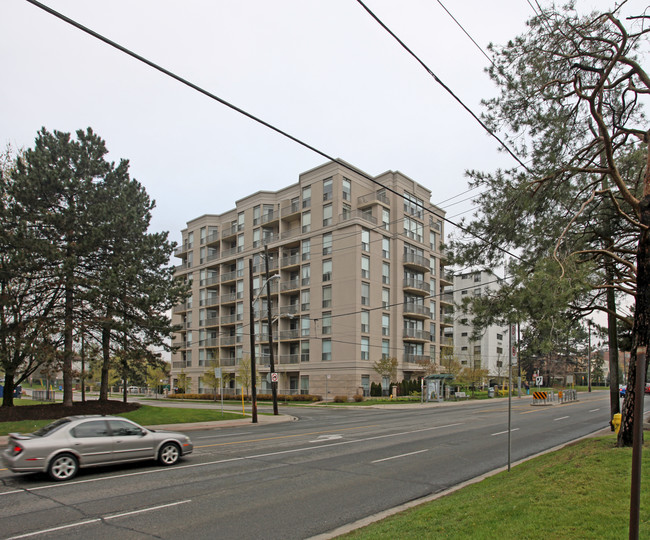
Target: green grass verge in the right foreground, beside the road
(581, 491)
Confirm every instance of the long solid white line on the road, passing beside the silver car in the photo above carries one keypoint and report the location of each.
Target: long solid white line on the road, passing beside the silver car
(232, 460)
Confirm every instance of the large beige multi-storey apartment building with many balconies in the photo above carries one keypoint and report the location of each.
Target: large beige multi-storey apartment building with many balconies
(356, 275)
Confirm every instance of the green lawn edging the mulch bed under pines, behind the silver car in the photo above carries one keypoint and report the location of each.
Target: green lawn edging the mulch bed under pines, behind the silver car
(145, 415)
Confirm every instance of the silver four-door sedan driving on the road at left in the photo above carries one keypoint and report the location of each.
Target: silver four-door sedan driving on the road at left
(68, 444)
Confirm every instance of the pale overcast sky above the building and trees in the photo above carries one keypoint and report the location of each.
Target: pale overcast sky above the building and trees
(322, 70)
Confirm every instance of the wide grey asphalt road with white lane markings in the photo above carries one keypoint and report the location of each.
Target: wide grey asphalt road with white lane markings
(294, 480)
